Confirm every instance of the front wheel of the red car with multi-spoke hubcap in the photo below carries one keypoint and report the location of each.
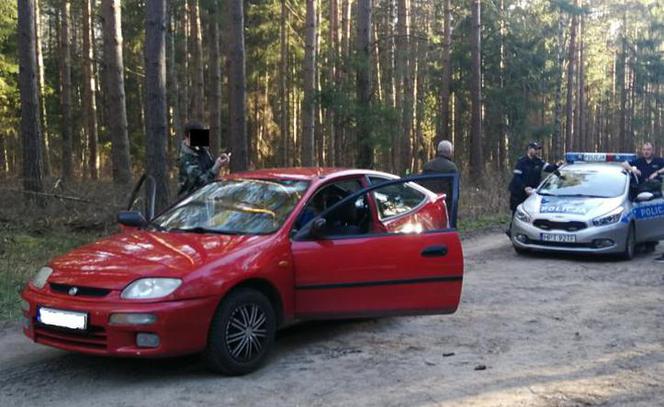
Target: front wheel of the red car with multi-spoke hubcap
(241, 333)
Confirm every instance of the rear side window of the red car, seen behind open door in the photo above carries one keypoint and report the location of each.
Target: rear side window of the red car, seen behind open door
(394, 200)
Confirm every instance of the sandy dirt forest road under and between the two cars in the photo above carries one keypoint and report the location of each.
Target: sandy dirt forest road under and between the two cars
(549, 332)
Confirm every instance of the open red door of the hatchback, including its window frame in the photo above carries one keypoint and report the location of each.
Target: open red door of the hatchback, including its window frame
(342, 270)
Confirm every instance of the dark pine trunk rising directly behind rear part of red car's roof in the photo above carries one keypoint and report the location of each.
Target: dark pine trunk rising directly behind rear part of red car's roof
(364, 136)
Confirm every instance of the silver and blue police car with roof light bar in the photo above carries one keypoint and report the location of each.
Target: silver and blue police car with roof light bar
(590, 205)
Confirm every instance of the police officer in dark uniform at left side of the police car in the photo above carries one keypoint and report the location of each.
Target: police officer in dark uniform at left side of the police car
(528, 174)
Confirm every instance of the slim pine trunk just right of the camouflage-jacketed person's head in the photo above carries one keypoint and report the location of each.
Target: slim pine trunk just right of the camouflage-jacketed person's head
(215, 78)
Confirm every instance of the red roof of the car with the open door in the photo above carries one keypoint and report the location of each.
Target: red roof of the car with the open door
(306, 173)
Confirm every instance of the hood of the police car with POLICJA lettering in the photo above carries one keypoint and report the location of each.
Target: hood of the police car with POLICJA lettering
(572, 208)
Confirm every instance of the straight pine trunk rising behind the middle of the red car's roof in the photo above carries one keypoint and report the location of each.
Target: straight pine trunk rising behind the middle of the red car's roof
(309, 85)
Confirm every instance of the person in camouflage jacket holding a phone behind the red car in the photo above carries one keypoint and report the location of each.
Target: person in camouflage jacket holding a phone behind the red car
(196, 164)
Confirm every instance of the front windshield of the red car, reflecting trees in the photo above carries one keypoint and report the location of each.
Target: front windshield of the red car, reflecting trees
(240, 206)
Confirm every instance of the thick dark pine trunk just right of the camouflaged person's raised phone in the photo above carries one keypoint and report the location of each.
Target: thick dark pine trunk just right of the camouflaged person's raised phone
(237, 85)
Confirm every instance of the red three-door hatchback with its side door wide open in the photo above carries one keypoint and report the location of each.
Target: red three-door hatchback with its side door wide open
(221, 270)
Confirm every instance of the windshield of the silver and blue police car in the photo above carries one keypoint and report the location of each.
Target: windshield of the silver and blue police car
(584, 182)
